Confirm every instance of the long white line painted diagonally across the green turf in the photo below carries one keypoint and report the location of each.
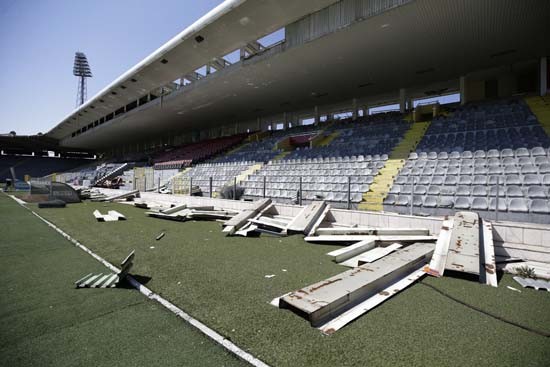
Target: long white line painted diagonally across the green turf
(153, 296)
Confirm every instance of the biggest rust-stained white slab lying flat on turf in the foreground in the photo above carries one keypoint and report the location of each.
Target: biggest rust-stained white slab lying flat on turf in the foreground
(330, 298)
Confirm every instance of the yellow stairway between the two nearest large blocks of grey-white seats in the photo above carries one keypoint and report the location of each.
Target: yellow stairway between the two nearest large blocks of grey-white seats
(378, 190)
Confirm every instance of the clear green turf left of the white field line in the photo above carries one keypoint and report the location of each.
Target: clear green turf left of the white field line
(45, 321)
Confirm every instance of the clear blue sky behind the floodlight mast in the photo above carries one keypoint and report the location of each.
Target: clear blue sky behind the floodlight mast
(38, 39)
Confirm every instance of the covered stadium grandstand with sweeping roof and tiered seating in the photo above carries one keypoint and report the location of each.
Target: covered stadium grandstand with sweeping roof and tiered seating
(233, 89)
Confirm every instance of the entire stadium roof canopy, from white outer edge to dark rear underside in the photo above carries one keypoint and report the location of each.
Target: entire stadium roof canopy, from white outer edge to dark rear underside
(408, 43)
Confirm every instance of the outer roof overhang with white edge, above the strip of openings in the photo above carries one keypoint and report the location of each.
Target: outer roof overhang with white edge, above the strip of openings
(226, 28)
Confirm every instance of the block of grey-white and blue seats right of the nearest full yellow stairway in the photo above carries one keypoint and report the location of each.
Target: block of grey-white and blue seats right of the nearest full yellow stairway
(515, 166)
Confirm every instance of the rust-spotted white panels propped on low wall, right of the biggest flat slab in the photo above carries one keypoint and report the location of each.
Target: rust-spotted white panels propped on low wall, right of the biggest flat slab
(462, 247)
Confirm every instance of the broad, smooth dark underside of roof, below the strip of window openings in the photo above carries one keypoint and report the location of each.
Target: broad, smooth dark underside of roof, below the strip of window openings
(423, 42)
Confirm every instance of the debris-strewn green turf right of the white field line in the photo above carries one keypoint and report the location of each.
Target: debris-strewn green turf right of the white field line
(221, 281)
